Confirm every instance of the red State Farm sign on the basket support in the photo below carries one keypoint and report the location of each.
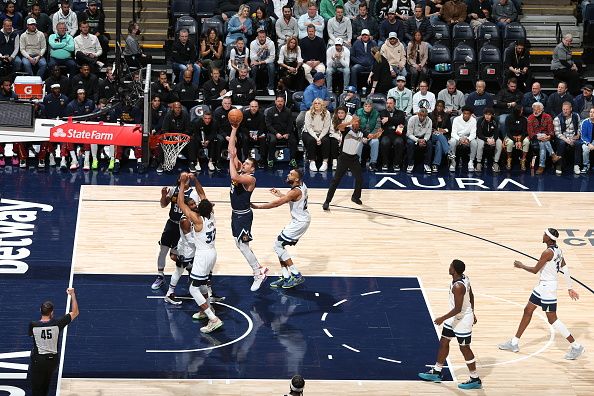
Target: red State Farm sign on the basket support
(97, 133)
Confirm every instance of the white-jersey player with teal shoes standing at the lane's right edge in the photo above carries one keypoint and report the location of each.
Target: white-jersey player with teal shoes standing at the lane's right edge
(457, 323)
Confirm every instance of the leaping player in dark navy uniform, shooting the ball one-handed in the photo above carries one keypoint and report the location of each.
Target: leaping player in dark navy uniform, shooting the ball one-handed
(243, 184)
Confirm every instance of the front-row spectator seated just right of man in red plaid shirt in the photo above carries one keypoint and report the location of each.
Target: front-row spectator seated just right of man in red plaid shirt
(567, 137)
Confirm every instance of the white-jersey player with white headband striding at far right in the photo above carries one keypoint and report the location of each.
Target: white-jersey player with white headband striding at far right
(544, 294)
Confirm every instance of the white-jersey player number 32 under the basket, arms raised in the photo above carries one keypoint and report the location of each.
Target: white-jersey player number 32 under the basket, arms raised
(205, 255)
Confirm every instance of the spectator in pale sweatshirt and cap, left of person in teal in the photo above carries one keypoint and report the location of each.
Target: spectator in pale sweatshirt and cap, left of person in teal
(33, 47)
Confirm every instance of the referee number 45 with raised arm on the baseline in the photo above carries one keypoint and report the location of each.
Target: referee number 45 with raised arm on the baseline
(46, 333)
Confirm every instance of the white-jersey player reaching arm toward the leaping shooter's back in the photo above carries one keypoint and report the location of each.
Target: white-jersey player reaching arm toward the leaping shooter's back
(300, 219)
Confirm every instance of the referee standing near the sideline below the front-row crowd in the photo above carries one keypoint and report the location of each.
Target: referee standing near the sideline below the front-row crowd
(352, 143)
